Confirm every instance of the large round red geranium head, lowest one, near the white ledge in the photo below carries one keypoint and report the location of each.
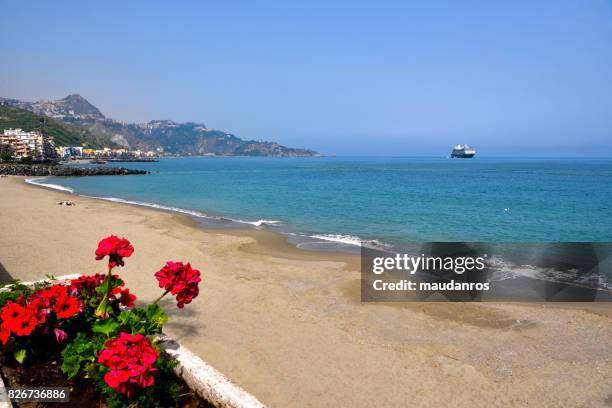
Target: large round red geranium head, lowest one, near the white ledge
(130, 359)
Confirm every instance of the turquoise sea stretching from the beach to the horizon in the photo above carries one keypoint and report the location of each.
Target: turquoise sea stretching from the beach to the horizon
(387, 200)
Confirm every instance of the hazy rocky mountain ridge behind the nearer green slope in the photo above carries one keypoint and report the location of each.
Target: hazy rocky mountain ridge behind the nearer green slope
(159, 135)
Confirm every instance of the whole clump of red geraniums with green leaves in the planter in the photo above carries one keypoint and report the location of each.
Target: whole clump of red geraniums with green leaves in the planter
(129, 363)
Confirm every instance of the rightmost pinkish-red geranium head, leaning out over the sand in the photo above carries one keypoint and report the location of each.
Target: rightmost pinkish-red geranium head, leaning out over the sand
(181, 280)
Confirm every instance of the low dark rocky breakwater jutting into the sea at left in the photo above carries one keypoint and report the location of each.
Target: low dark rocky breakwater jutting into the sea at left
(64, 171)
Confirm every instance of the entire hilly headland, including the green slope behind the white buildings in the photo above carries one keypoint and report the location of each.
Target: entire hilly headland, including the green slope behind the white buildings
(76, 122)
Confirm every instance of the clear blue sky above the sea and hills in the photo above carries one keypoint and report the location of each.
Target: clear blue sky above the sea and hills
(382, 77)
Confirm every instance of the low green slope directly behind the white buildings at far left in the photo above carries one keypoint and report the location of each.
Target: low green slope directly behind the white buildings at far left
(64, 134)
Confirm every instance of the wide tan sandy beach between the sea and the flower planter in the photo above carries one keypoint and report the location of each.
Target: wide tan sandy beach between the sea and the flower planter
(289, 327)
